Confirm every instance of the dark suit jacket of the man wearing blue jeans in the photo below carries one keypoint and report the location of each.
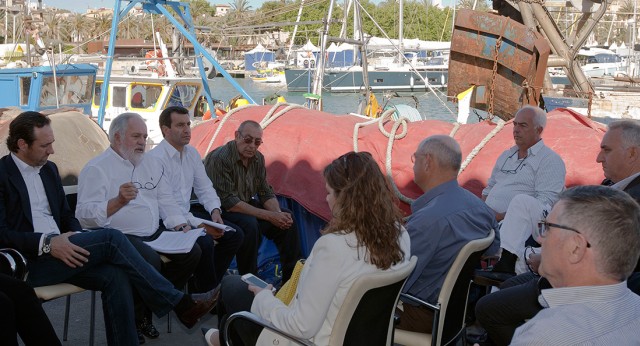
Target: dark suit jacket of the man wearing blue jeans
(16, 222)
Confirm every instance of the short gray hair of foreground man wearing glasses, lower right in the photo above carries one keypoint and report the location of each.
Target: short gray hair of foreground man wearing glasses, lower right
(610, 220)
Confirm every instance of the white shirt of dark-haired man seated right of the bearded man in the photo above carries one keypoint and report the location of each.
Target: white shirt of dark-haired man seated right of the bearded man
(185, 172)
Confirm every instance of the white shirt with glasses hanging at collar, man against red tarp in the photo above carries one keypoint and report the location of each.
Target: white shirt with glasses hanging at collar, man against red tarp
(541, 174)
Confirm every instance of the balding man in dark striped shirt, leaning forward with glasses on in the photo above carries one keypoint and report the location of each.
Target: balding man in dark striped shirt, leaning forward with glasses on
(238, 172)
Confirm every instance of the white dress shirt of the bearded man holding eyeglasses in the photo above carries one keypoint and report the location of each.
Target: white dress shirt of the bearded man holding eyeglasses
(100, 181)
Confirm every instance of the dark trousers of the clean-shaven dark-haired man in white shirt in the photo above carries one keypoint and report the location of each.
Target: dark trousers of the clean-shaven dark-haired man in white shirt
(214, 261)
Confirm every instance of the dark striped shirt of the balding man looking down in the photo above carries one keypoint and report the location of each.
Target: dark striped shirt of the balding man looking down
(232, 180)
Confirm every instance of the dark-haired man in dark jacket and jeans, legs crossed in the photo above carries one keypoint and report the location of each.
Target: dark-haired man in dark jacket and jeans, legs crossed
(36, 219)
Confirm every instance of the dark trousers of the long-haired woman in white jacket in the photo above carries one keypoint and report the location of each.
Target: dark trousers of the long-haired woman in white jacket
(235, 297)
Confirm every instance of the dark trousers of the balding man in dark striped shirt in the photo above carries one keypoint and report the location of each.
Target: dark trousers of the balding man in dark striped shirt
(286, 240)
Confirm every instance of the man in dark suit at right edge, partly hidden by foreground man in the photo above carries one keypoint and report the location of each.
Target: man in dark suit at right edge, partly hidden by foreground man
(501, 313)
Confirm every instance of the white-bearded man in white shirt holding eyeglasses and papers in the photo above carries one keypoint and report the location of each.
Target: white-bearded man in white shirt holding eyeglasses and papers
(126, 190)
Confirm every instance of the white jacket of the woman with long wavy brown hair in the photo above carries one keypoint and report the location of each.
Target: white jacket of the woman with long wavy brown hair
(334, 264)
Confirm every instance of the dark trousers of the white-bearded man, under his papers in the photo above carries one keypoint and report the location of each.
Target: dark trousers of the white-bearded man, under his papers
(177, 271)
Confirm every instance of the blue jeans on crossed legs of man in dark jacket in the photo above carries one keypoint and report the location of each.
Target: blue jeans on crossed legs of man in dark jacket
(113, 267)
